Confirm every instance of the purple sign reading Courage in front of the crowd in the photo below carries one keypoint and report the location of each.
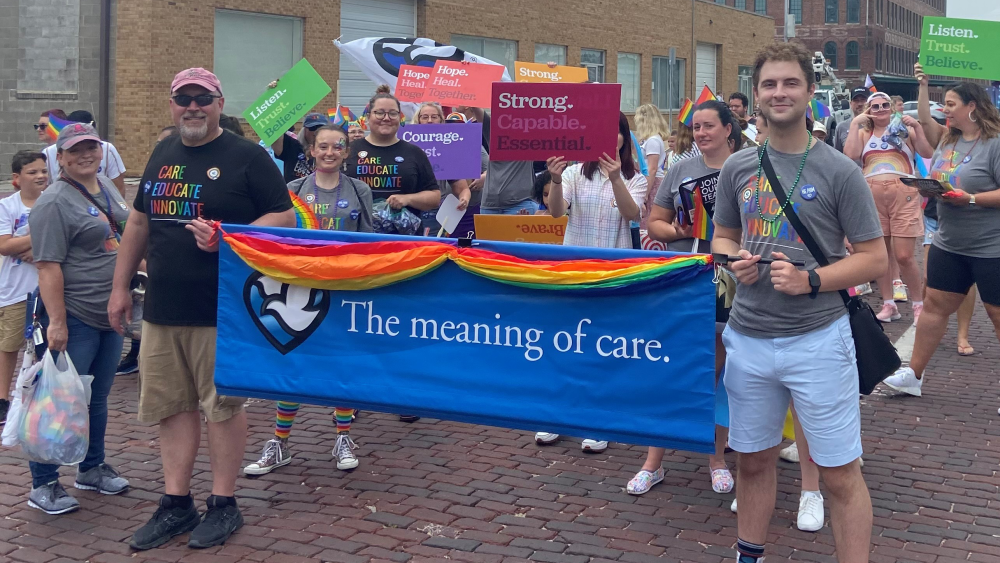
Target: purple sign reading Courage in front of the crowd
(453, 148)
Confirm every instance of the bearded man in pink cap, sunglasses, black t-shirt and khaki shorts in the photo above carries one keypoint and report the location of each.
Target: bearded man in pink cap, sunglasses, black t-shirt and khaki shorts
(203, 174)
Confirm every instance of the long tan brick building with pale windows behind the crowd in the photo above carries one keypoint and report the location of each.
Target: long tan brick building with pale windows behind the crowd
(250, 42)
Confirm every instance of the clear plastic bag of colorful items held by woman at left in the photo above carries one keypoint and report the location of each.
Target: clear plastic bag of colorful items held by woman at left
(55, 422)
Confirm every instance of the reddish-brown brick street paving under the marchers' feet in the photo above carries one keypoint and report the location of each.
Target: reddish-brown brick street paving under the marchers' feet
(437, 491)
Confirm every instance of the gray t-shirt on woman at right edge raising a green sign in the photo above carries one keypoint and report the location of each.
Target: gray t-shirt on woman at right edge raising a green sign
(963, 229)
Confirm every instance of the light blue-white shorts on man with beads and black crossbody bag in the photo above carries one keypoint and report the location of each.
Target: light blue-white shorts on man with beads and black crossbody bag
(818, 371)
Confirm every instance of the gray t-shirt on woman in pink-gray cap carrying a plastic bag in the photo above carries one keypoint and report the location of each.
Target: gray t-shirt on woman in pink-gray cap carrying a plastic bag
(69, 229)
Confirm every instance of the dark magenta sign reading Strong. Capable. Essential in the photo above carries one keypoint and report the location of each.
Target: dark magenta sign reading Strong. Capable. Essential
(533, 121)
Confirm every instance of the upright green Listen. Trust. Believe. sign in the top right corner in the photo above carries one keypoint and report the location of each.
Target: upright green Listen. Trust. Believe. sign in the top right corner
(961, 48)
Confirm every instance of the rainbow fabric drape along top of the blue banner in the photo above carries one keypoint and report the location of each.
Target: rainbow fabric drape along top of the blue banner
(369, 265)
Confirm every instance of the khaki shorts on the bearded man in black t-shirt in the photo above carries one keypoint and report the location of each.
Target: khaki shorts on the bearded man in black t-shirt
(177, 374)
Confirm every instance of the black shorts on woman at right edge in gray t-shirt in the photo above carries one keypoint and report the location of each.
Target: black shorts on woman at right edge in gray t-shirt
(955, 273)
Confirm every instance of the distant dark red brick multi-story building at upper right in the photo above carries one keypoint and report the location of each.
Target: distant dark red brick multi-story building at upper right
(880, 38)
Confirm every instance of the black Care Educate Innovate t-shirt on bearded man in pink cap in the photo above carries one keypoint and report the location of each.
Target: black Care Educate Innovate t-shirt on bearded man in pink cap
(228, 179)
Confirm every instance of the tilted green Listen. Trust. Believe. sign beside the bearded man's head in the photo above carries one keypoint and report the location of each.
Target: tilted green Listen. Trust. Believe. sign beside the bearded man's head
(279, 108)
